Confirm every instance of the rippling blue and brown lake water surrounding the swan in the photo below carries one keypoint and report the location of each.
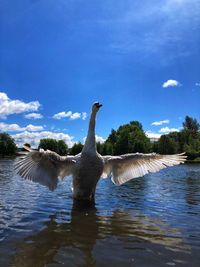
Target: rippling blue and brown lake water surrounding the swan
(150, 221)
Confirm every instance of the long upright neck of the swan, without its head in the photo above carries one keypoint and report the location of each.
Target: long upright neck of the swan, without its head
(90, 143)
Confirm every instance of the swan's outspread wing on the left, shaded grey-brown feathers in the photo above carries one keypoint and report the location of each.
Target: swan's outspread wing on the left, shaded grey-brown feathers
(45, 167)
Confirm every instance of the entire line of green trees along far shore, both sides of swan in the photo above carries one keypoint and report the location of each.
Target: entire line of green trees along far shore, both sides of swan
(128, 138)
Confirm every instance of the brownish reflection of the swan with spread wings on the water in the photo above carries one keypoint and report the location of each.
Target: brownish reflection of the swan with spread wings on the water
(77, 239)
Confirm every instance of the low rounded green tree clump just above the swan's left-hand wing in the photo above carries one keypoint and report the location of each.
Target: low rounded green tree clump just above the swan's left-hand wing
(59, 146)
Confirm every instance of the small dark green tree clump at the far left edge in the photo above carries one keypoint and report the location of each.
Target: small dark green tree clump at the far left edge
(7, 145)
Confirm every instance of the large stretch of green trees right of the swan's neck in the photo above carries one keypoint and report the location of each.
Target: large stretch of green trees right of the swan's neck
(131, 138)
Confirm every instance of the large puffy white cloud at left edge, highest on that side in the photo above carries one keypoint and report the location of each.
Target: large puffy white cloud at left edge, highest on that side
(8, 106)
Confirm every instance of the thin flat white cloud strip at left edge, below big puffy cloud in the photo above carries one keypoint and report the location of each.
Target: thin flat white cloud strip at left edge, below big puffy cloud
(16, 128)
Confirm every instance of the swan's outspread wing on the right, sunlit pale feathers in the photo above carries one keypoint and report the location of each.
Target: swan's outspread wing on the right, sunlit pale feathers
(126, 167)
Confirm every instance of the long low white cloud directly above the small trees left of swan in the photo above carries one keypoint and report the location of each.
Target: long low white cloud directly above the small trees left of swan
(33, 138)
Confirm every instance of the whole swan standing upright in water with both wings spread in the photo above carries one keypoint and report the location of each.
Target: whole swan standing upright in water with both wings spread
(86, 168)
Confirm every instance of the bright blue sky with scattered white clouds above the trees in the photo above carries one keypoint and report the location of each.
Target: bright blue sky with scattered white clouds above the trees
(139, 58)
